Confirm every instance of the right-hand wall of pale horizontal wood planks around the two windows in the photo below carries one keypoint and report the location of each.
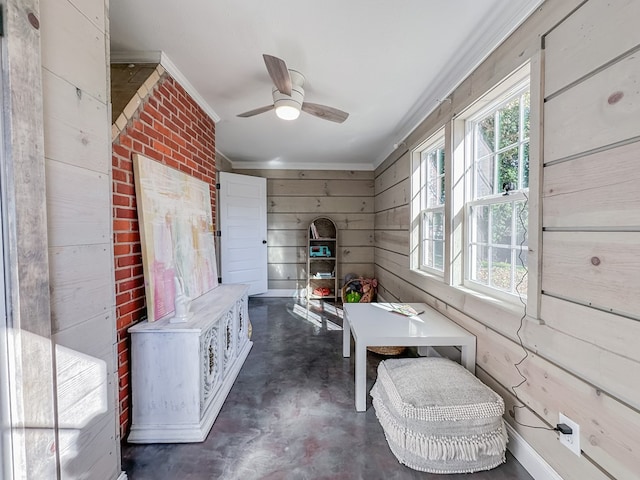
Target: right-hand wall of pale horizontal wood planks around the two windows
(581, 344)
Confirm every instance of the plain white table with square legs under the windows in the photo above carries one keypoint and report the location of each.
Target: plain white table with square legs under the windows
(373, 325)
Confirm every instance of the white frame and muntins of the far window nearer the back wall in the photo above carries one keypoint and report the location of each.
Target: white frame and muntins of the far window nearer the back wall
(422, 207)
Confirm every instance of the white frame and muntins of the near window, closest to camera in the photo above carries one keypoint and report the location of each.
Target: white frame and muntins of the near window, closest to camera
(518, 251)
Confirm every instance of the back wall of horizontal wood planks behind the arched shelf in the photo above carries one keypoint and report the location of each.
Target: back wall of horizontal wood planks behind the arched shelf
(294, 199)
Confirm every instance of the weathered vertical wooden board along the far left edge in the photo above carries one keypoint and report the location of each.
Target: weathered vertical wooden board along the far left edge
(27, 373)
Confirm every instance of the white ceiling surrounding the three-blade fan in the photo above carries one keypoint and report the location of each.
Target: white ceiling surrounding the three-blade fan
(387, 63)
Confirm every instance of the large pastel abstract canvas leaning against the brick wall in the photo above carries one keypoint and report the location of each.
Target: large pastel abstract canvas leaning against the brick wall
(176, 233)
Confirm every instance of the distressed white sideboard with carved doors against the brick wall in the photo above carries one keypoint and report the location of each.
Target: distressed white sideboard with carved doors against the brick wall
(181, 373)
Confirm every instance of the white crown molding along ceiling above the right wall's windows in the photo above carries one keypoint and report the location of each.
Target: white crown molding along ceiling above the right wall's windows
(499, 24)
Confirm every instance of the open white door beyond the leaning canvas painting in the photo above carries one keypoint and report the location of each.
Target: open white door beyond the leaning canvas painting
(243, 226)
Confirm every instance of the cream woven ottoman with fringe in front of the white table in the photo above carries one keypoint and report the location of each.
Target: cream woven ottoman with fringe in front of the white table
(438, 417)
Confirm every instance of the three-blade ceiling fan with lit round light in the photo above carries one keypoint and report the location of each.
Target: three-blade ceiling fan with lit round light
(288, 95)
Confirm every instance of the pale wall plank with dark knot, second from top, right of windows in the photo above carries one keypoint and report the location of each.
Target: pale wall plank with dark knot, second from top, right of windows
(602, 110)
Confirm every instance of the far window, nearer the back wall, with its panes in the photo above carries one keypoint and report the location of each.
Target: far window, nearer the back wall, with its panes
(428, 205)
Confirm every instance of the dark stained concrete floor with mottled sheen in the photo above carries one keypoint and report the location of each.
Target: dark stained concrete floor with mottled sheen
(291, 414)
